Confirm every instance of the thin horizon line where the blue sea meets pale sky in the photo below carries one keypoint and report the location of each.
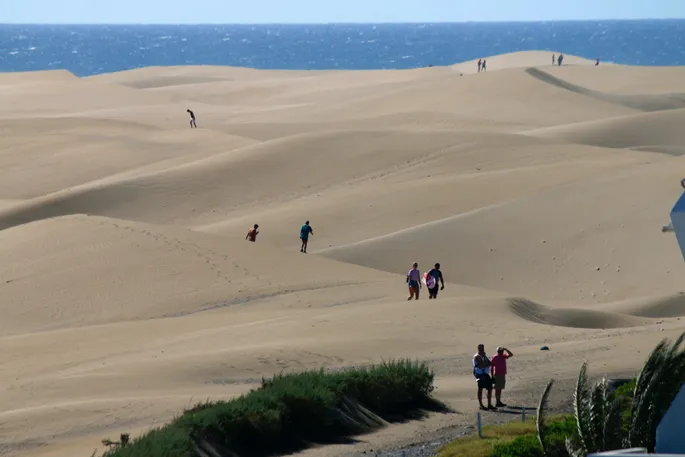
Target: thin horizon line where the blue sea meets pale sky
(523, 21)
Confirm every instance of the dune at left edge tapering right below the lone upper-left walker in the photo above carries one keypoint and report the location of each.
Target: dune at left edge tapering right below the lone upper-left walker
(86, 152)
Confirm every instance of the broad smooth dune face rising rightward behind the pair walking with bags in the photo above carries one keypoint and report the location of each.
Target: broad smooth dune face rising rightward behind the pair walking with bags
(548, 252)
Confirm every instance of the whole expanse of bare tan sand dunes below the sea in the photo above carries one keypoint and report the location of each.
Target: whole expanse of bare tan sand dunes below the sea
(129, 291)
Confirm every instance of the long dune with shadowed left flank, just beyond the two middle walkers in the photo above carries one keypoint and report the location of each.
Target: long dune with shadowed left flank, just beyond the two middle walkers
(197, 186)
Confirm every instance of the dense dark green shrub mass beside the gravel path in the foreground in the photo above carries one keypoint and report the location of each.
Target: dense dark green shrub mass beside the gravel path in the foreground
(289, 411)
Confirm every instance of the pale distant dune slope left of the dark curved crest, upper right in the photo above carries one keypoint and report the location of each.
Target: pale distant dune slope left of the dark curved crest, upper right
(449, 93)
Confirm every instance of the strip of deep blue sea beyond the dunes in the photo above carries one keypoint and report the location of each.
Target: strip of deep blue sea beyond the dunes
(92, 49)
